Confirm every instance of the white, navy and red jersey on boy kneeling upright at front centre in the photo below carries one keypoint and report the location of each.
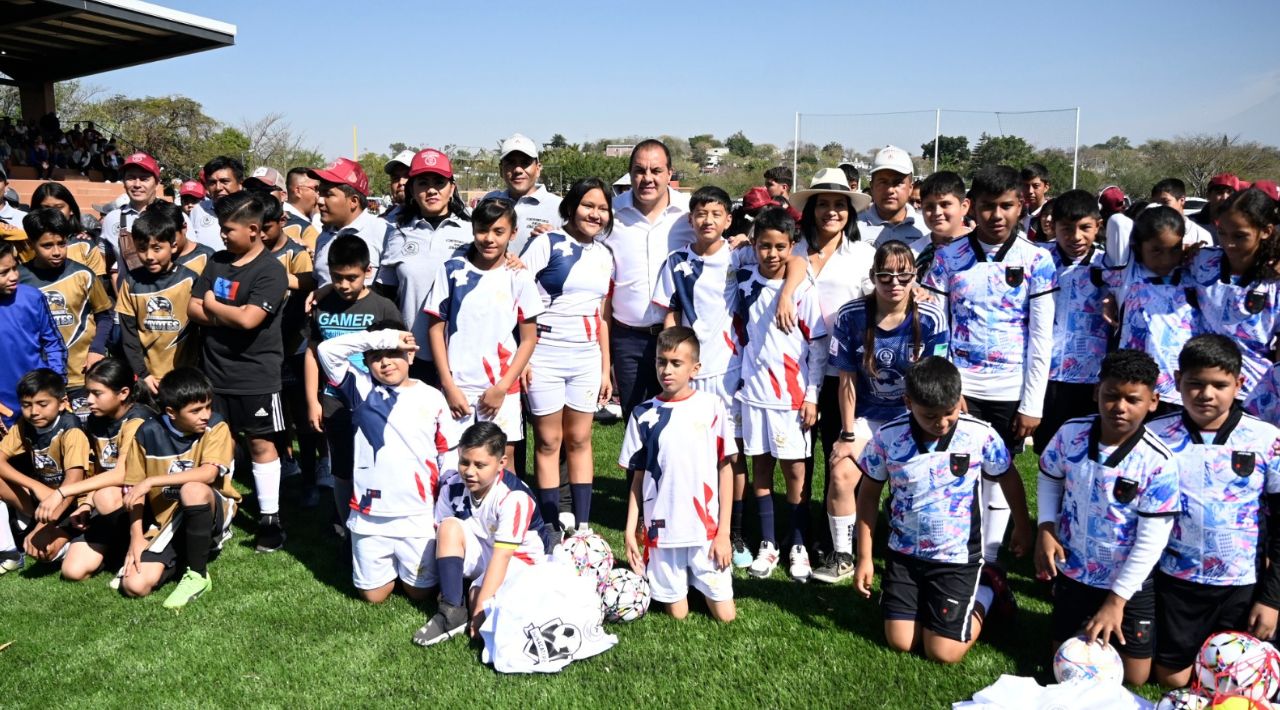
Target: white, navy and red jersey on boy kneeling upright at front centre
(680, 446)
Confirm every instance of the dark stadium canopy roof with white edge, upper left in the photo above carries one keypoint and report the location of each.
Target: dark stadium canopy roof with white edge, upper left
(45, 42)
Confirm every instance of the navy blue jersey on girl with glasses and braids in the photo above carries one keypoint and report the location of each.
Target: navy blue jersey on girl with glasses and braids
(880, 397)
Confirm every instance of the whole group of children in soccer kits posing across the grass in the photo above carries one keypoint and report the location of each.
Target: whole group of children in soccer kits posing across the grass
(1131, 379)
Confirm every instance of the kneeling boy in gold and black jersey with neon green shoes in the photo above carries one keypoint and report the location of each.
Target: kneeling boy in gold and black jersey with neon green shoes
(181, 501)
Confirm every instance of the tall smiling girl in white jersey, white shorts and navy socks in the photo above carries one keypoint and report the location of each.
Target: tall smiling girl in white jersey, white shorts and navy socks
(569, 373)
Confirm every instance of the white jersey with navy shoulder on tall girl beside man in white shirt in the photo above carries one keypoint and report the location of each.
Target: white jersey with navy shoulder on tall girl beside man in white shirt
(574, 280)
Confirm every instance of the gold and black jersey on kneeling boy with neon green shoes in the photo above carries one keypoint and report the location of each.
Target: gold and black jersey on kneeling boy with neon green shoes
(159, 450)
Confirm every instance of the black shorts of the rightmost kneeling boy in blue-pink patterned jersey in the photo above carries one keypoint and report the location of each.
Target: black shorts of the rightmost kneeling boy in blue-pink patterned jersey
(1188, 613)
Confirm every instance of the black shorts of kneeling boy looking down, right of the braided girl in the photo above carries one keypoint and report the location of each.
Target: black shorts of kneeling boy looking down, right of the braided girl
(940, 597)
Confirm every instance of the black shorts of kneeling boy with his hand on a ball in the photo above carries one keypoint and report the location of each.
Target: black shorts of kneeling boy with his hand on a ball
(1076, 603)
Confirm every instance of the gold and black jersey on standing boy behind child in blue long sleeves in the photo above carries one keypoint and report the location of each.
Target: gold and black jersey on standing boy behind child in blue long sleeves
(75, 296)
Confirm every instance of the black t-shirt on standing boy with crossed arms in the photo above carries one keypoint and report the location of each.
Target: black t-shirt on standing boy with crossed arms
(245, 361)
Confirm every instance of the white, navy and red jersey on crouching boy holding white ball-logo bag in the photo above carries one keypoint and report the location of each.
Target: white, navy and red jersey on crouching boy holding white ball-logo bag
(506, 516)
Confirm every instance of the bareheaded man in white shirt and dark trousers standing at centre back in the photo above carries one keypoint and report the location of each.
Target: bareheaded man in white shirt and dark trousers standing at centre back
(650, 222)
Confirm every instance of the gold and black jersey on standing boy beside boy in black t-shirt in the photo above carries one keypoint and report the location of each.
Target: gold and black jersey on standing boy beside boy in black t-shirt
(154, 306)
